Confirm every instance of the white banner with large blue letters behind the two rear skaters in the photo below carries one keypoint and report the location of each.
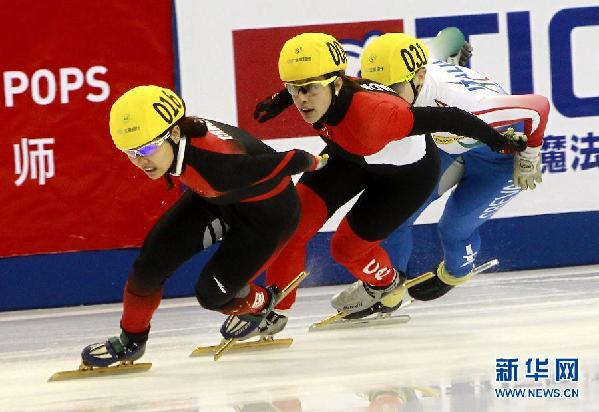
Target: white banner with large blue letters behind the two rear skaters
(543, 47)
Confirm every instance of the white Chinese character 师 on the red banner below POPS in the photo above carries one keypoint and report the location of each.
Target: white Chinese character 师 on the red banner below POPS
(34, 160)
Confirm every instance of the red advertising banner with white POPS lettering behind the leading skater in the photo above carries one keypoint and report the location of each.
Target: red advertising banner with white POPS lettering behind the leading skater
(63, 184)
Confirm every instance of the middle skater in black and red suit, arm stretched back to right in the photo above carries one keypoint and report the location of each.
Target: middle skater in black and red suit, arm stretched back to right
(380, 150)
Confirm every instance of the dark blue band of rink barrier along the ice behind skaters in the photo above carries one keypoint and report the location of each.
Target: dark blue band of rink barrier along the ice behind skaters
(85, 278)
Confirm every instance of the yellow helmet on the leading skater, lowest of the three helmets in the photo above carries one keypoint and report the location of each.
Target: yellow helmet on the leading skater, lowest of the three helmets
(142, 114)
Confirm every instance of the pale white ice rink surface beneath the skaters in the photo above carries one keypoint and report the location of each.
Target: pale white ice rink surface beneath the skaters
(444, 359)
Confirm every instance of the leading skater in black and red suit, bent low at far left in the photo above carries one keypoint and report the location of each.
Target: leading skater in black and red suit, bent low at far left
(239, 190)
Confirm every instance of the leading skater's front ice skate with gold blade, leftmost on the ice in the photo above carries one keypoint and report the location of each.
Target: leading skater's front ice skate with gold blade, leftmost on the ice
(115, 356)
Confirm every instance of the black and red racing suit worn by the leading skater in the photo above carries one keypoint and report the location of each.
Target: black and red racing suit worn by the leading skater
(240, 191)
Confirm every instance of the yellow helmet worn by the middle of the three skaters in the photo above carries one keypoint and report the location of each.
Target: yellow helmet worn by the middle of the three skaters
(310, 55)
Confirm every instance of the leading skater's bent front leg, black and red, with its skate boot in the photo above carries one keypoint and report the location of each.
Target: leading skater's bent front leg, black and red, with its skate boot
(188, 227)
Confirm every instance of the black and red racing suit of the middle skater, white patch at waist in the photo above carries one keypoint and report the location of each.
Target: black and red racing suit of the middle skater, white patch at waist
(379, 148)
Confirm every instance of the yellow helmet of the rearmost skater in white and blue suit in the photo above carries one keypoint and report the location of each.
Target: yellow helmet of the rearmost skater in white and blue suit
(393, 58)
